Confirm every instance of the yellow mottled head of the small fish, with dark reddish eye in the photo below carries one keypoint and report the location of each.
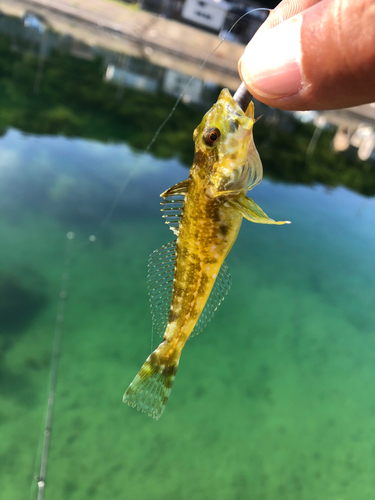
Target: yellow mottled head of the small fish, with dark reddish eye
(225, 152)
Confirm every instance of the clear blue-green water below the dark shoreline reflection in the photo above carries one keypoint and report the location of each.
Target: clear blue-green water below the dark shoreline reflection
(274, 400)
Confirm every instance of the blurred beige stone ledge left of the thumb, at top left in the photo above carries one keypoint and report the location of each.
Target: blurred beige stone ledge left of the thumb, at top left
(162, 41)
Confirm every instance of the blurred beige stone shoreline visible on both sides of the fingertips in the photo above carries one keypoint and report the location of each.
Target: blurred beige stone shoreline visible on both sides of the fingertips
(181, 48)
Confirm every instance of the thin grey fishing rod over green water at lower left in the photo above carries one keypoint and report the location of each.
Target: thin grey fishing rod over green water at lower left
(41, 461)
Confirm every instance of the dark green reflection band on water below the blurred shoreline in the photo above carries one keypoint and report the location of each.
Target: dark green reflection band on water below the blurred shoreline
(55, 85)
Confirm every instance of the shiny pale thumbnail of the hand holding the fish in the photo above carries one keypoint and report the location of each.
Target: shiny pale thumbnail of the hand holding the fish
(271, 63)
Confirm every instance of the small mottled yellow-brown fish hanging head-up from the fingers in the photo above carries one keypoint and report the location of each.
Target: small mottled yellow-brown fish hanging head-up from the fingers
(188, 277)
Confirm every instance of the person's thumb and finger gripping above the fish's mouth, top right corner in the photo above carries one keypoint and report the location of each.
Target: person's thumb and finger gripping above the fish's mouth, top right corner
(313, 54)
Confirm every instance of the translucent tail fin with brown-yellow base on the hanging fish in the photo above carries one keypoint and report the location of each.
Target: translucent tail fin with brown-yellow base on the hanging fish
(150, 389)
